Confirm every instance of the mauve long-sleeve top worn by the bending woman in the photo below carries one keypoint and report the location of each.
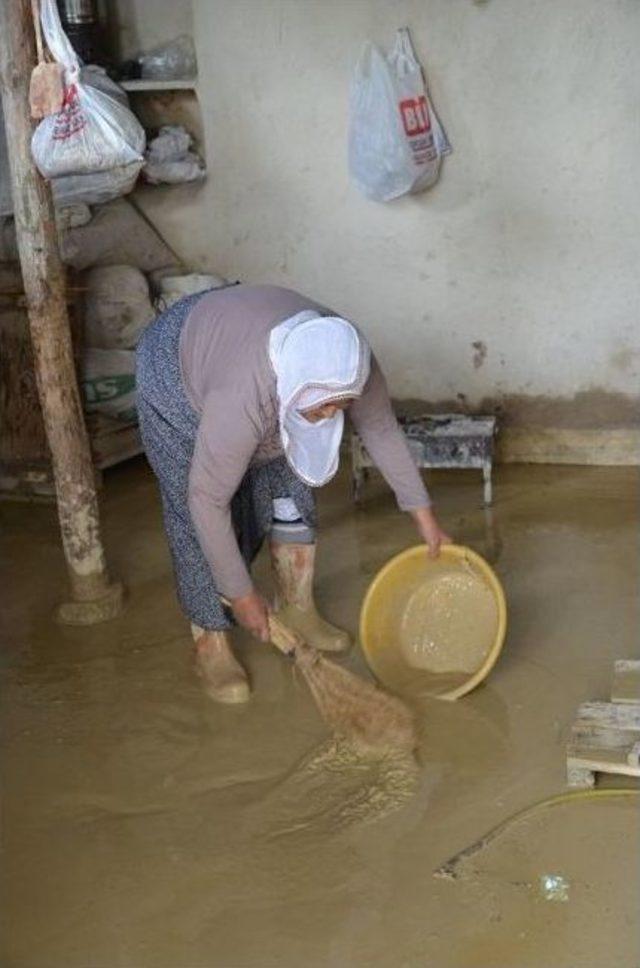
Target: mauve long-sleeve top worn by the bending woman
(228, 378)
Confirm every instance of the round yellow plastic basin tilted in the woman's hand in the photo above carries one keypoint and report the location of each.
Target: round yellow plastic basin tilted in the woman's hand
(433, 627)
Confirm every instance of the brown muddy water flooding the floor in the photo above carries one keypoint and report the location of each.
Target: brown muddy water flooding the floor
(145, 827)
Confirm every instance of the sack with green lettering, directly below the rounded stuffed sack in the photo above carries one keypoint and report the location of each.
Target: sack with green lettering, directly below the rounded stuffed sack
(108, 383)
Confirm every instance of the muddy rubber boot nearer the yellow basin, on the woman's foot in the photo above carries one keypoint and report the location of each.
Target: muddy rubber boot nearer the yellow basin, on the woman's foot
(293, 570)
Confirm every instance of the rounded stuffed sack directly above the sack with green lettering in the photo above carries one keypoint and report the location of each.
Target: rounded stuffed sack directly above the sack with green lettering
(117, 307)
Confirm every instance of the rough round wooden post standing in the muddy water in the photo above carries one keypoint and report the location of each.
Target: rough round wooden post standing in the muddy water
(93, 597)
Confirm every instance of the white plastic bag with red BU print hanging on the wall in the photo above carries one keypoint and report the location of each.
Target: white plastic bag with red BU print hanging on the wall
(396, 141)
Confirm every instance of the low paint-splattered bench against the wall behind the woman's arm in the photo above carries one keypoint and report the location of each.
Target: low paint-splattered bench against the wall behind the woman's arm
(442, 440)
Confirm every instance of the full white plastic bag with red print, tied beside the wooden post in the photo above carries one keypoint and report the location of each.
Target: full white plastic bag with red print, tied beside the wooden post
(93, 132)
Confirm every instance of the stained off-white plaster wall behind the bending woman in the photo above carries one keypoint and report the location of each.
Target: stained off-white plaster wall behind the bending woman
(514, 281)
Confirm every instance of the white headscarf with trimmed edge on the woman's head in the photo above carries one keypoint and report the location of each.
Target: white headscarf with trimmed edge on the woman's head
(316, 359)
